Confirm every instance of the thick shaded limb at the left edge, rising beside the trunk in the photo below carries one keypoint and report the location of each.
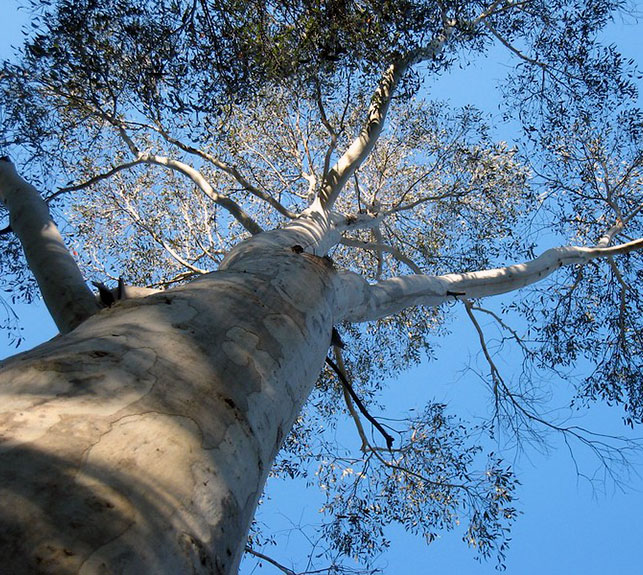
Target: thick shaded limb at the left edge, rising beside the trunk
(61, 283)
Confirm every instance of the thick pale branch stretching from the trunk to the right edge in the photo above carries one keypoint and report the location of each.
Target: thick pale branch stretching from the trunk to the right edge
(359, 301)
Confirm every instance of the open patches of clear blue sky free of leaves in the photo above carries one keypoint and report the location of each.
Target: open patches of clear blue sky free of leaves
(567, 528)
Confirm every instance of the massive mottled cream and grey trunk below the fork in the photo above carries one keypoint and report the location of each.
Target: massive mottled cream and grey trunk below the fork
(140, 442)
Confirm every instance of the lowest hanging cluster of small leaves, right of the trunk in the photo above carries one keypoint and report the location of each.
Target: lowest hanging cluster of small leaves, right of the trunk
(427, 485)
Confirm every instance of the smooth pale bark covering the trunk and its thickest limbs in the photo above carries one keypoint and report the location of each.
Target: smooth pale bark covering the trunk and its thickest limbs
(140, 442)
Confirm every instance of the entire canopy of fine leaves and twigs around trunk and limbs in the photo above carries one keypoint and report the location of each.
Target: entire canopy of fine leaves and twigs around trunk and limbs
(261, 98)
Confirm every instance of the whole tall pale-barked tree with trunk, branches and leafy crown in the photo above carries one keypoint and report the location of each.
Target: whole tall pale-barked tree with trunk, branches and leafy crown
(143, 435)
